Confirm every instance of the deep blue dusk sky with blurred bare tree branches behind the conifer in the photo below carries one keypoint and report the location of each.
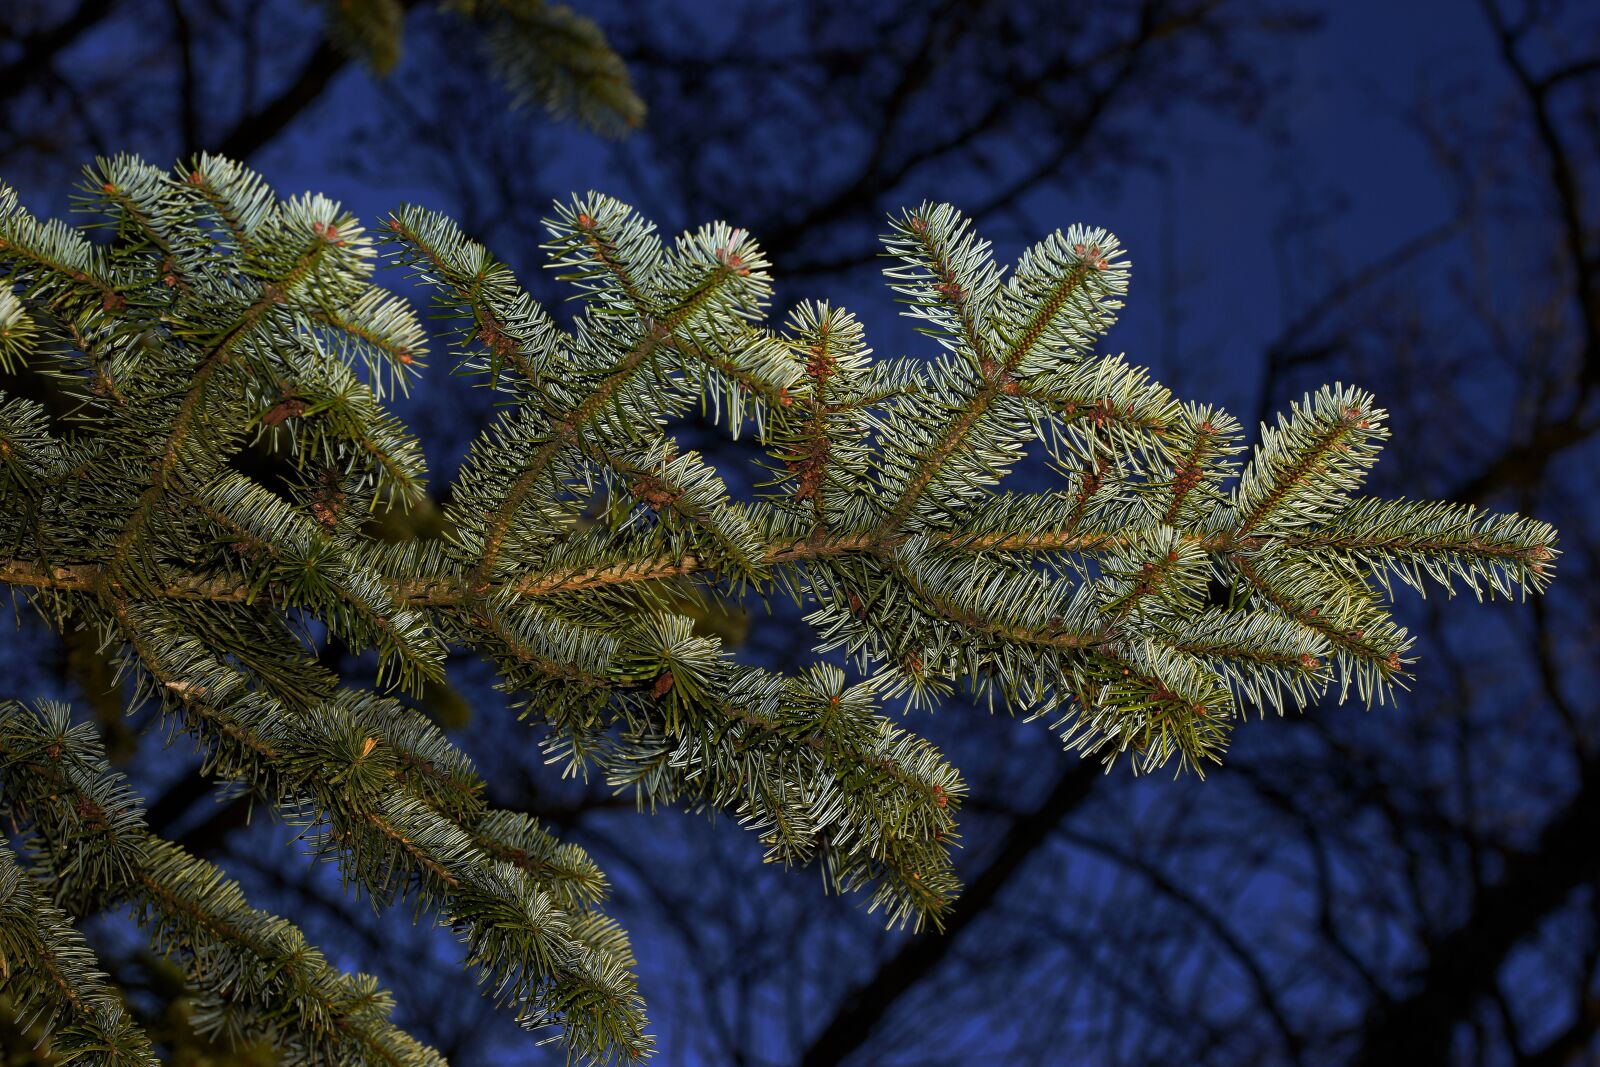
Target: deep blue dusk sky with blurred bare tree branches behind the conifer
(1399, 196)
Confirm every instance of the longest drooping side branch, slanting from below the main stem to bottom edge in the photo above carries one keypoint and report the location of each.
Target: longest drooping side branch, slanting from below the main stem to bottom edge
(350, 769)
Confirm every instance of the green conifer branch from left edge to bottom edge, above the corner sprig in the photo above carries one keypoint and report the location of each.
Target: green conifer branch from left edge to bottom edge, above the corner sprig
(255, 975)
